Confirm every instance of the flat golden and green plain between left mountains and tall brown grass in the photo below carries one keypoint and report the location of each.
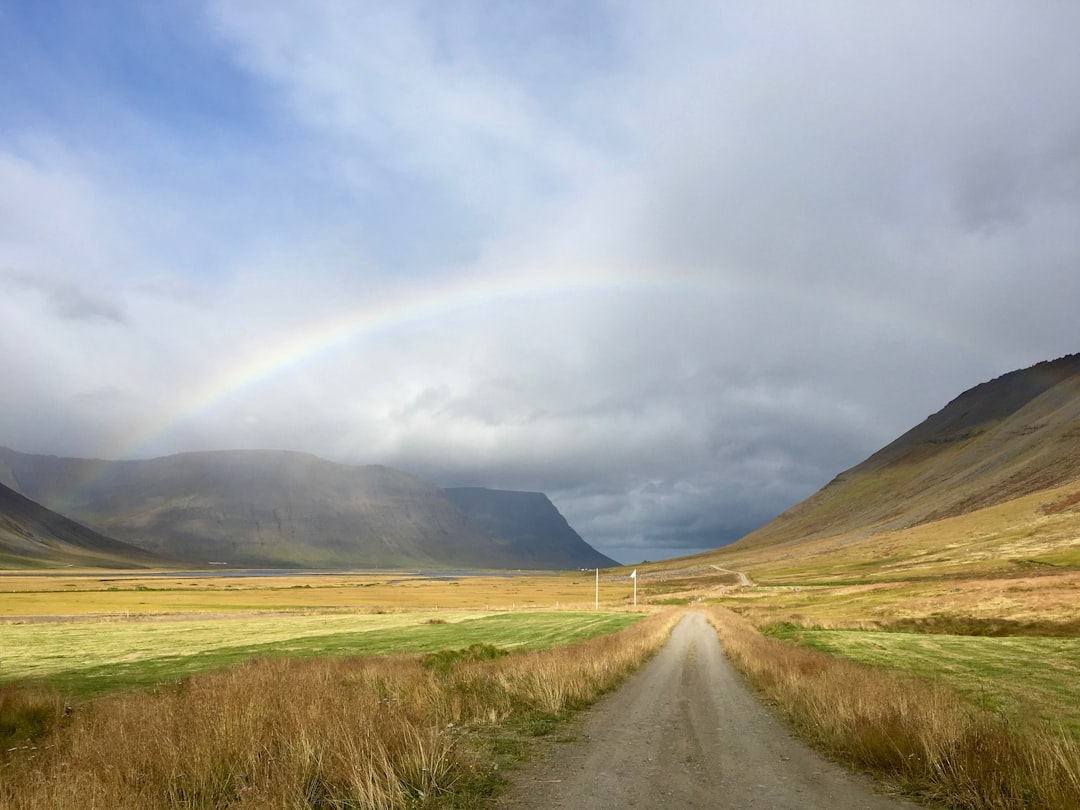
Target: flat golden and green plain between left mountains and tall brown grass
(91, 632)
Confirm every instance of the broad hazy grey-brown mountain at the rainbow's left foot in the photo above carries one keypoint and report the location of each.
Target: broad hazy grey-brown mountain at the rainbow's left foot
(267, 509)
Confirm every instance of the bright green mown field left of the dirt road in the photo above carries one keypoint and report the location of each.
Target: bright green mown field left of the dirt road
(91, 658)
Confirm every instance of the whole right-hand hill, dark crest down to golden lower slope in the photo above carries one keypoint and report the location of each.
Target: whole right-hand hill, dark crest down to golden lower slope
(987, 488)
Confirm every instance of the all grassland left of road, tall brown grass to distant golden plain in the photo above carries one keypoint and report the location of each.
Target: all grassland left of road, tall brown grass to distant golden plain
(295, 692)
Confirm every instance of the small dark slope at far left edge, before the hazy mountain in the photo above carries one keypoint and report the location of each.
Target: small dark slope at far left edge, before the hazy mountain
(33, 536)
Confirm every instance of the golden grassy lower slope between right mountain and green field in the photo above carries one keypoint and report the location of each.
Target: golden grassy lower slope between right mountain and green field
(1018, 562)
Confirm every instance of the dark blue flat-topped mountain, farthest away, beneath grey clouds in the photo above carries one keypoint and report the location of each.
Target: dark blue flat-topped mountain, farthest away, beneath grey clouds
(531, 522)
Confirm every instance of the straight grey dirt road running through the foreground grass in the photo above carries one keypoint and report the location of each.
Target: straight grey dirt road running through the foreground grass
(684, 733)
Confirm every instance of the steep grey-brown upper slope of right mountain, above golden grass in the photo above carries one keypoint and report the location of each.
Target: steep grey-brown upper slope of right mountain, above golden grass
(1016, 436)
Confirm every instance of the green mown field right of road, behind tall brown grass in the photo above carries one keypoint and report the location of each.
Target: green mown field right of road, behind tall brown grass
(1020, 678)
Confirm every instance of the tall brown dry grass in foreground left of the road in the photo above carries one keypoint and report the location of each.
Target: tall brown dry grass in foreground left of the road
(371, 733)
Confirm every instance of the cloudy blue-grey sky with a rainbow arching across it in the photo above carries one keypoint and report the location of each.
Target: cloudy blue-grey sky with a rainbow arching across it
(676, 264)
